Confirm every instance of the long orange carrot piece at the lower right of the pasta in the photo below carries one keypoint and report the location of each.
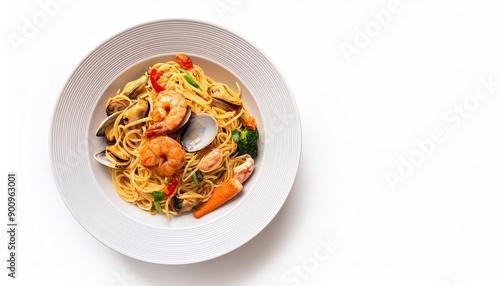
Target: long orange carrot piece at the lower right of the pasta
(220, 195)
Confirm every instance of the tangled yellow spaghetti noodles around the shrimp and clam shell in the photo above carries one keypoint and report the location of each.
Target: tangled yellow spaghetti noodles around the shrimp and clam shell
(135, 183)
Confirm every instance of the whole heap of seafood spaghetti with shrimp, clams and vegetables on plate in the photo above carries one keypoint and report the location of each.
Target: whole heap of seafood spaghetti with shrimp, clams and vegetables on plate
(177, 140)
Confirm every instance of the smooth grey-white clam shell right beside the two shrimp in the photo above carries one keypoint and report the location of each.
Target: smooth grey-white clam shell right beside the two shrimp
(200, 131)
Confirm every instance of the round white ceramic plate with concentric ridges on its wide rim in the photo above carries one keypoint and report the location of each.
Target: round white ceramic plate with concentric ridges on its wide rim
(86, 186)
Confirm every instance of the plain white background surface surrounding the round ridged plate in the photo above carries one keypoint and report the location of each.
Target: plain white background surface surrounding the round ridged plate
(363, 116)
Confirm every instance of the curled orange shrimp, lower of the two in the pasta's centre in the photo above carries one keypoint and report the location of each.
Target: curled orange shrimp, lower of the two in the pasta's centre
(162, 155)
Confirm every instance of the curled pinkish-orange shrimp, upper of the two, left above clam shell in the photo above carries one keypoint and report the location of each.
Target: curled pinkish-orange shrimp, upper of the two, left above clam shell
(169, 108)
